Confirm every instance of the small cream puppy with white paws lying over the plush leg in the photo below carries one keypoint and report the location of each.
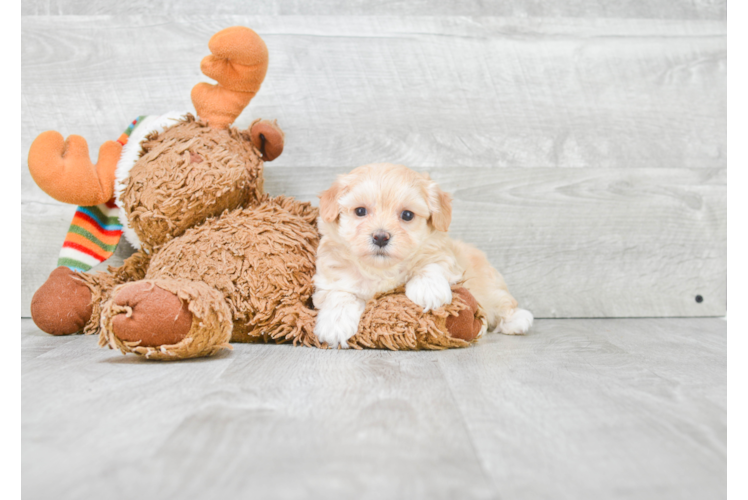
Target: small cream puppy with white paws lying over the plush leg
(383, 226)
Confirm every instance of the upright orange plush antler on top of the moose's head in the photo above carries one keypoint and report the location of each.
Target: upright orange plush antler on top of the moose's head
(239, 64)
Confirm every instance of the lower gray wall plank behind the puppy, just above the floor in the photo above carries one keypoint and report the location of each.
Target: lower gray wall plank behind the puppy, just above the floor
(570, 242)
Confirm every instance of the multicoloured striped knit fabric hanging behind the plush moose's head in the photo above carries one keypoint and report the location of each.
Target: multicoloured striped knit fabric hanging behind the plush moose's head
(95, 231)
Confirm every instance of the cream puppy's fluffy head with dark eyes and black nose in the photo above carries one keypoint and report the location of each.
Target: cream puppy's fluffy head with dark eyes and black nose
(383, 213)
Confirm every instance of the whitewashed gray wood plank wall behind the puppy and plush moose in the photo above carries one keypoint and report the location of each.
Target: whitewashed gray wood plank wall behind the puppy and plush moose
(585, 142)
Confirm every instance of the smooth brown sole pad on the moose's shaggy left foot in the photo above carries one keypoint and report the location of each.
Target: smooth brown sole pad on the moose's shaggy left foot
(151, 316)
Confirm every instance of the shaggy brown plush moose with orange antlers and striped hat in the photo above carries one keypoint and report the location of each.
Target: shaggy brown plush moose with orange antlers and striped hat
(218, 260)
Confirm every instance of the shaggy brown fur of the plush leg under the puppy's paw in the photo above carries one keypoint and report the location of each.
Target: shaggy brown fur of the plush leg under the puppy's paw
(391, 321)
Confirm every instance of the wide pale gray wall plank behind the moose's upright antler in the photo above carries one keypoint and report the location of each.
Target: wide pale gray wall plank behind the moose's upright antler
(423, 92)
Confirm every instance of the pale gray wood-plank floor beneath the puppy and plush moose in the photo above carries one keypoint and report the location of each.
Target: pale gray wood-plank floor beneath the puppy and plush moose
(579, 409)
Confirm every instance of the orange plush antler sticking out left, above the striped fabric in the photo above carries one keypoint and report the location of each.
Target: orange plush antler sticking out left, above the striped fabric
(63, 169)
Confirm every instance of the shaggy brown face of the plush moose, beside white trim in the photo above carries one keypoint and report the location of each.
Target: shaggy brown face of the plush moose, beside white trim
(167, 193)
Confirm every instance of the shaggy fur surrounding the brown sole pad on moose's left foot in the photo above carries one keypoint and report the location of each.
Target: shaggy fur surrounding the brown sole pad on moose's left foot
(211, 322)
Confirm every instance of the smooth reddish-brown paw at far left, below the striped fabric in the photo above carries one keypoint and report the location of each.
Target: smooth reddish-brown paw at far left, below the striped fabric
(62, 306)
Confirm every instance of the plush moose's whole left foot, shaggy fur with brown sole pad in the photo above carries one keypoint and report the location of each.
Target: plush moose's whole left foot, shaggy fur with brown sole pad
(166, 319)
